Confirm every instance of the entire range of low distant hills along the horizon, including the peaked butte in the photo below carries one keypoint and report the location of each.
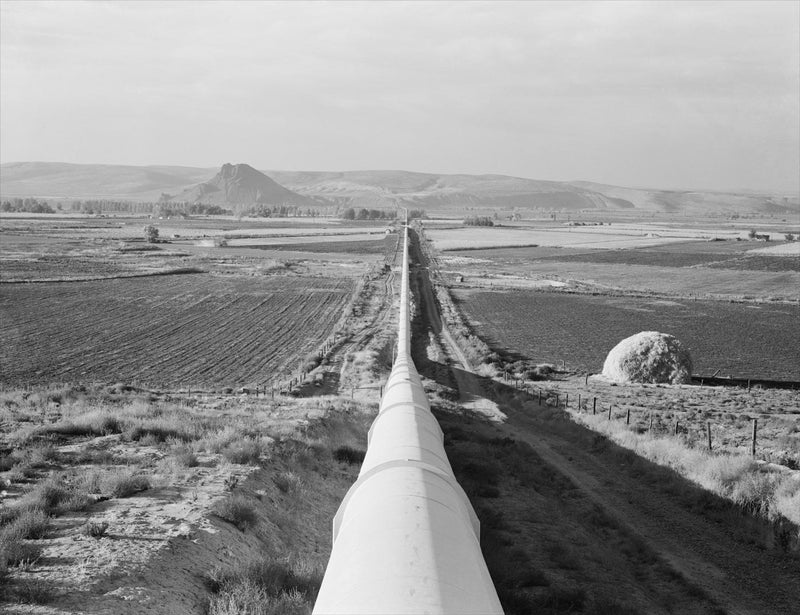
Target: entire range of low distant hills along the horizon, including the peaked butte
(242, 184)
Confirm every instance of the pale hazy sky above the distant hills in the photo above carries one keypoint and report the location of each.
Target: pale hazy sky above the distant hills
(659, 94)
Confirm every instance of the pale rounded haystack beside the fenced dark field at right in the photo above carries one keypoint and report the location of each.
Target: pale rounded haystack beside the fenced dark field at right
(650, 357)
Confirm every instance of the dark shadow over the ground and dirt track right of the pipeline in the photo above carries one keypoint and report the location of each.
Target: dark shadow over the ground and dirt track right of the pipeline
(598, 528)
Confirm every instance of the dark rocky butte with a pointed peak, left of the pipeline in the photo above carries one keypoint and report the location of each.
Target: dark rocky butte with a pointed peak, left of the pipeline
(241, 184)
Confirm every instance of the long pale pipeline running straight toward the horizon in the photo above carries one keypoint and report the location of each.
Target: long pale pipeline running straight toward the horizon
(405, 537)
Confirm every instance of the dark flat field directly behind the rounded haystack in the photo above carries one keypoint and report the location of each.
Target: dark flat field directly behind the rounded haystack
(740, 340)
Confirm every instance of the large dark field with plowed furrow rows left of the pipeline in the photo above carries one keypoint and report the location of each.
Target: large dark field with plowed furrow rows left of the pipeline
(179, 330)
